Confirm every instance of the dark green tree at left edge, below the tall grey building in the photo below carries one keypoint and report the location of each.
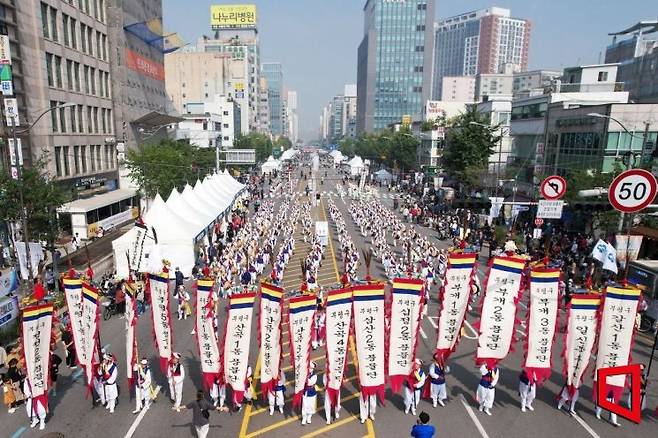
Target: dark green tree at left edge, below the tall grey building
(41, 196)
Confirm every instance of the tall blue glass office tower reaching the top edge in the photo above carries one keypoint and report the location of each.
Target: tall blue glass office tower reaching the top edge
(394, 70)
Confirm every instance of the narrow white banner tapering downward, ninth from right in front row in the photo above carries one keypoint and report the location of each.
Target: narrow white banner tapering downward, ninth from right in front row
(301, 316)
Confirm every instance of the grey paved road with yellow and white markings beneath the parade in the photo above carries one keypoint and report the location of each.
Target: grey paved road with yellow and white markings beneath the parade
(73, 415)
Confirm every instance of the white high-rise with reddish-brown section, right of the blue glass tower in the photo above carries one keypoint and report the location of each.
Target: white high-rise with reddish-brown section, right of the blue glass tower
(482, 41)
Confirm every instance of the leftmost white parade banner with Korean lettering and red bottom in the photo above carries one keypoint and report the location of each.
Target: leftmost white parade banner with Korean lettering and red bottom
(37, 332)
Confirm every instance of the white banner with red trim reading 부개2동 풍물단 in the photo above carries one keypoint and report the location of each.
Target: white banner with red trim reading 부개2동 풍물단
(498, 313)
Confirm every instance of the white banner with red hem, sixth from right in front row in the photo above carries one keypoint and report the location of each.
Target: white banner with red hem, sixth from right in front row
(404, 314)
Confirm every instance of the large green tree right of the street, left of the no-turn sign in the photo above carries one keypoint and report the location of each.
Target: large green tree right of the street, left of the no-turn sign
(468, 147)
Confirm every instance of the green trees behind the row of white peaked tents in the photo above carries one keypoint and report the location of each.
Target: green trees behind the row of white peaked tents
(160, 167)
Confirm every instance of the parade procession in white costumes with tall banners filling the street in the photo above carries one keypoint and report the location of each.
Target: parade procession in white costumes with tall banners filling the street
(284, 330)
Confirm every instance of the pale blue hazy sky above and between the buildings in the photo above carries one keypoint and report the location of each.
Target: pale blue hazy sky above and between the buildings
(317, 40)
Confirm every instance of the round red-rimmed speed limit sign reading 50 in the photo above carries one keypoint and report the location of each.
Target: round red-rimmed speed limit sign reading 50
(632, 190)
